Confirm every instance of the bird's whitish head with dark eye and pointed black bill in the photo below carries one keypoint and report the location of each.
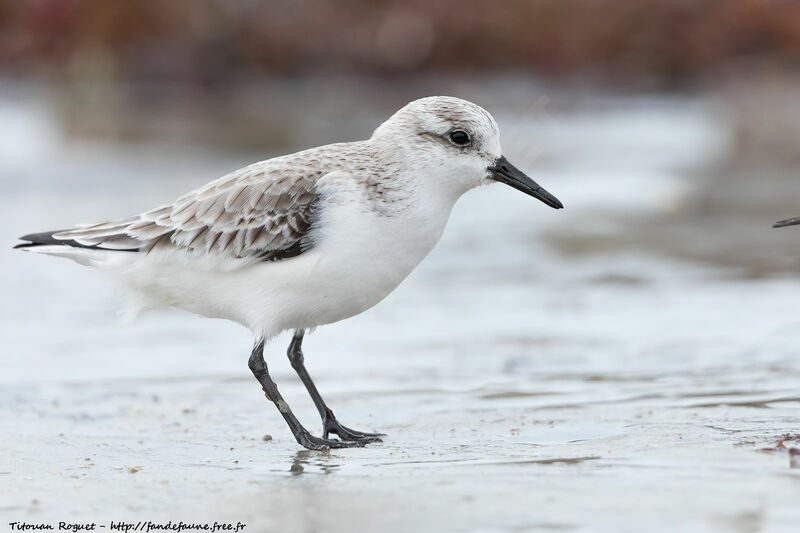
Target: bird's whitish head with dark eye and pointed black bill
(456, 144)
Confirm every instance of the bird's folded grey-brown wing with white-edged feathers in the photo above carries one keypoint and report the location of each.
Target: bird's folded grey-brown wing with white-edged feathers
(257, 212)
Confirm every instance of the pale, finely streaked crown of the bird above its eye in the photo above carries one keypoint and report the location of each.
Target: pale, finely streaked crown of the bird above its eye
(440, 114)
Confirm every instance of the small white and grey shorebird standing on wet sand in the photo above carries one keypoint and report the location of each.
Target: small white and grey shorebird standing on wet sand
(303, 240)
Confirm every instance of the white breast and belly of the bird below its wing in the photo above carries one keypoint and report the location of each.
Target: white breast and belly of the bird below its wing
(360, 258)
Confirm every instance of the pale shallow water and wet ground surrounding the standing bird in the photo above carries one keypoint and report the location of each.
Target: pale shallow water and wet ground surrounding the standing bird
(522, 388)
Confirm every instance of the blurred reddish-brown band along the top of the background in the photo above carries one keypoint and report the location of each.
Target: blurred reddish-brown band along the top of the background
(212, 42)
